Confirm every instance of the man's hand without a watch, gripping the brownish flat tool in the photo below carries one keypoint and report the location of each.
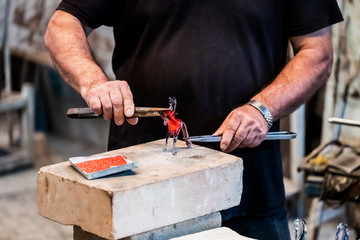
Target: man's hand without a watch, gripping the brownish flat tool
(112, 99)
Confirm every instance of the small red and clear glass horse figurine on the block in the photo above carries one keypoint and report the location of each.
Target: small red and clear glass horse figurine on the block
(175, 125)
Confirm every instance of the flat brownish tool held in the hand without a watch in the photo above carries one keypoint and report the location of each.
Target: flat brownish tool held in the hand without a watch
(87, 113)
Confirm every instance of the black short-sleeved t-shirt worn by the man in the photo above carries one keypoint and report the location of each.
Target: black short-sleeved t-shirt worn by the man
(212, 56)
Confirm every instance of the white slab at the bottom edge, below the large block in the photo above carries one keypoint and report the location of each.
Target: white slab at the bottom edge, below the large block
(214, 234)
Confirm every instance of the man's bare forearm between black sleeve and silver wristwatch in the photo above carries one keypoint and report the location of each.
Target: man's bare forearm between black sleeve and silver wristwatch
(300, 79)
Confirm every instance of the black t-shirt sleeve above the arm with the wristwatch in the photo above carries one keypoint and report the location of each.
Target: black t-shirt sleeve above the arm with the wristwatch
(307, 16)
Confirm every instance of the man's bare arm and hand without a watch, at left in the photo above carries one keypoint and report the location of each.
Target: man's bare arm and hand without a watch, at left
(66, 40)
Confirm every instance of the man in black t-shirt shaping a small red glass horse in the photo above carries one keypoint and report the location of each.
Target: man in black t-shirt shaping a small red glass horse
(214, 57)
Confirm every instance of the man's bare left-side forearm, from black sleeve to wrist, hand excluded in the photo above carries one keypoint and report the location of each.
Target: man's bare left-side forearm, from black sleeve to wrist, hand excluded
(66, 42)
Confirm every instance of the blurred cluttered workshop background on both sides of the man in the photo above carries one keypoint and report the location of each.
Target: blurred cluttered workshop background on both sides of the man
(34, 129)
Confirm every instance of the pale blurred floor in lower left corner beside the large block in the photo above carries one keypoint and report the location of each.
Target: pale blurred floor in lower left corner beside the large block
(18, 211)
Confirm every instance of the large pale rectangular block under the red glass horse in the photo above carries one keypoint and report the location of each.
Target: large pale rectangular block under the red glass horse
(163, 190)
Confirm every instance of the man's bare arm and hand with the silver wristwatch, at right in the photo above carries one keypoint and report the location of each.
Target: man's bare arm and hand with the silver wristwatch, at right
(297, 82)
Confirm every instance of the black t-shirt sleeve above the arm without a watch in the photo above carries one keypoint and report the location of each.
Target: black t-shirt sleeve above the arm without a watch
(92, 13)
